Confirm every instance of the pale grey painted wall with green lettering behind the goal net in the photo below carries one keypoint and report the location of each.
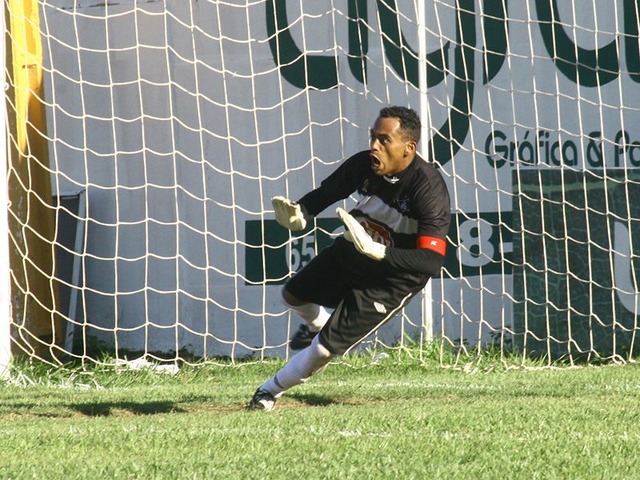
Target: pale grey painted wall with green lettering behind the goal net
(177, 121)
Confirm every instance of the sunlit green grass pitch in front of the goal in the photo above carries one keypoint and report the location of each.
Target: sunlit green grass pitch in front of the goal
(350, 422)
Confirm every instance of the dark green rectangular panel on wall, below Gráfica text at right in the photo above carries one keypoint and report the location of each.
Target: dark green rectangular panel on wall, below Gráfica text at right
(575, 274)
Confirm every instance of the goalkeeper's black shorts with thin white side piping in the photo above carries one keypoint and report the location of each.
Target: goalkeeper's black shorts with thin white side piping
(363, 292)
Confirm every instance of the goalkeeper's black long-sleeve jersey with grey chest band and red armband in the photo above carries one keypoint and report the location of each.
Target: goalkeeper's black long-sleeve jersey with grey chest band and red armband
(409, 213)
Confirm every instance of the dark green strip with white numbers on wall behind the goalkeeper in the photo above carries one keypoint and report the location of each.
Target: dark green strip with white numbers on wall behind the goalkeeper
(477, 246)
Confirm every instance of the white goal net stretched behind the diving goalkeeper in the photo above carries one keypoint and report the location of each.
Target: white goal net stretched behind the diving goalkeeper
(148, 137)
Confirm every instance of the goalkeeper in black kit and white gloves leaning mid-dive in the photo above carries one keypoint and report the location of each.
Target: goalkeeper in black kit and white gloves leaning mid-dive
(394, 242)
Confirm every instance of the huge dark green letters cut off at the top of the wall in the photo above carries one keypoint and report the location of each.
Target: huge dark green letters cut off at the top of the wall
(590, 68)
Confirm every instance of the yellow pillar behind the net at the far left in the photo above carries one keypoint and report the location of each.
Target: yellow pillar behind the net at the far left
(36, 328)
